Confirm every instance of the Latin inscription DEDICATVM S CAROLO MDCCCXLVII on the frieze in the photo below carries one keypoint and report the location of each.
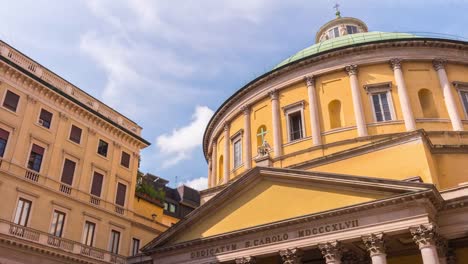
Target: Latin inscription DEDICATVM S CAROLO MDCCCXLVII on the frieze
(306, 231)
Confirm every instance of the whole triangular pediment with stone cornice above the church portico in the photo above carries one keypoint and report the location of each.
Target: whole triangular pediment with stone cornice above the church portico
(269, 195)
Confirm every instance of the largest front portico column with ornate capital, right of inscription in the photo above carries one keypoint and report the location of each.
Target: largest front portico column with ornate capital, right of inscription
(425, 237)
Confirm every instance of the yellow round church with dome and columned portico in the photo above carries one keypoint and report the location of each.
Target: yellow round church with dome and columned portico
(353, 150)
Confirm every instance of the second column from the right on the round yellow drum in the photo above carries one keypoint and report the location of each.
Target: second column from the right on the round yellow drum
(408, 116)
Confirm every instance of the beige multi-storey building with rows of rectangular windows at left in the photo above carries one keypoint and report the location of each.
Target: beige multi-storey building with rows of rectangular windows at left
(68, 166)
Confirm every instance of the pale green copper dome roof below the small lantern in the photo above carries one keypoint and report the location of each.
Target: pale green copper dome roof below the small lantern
(344, 41)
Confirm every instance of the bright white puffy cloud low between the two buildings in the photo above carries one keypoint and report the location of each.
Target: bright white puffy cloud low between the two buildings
(178, 145)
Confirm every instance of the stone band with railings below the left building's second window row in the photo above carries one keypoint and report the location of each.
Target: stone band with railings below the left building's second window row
(57, 186)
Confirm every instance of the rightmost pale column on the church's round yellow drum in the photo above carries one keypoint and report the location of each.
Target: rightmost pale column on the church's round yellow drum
(439, 66)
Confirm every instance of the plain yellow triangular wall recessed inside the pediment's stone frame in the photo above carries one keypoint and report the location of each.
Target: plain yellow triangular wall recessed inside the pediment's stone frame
(254, 206)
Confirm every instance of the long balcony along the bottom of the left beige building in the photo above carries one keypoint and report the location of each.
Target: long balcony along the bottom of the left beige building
(62, 245)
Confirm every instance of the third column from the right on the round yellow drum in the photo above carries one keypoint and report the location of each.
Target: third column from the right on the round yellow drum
(357, 102)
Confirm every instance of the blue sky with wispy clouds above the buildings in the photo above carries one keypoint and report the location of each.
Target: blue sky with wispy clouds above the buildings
(169, 64)
